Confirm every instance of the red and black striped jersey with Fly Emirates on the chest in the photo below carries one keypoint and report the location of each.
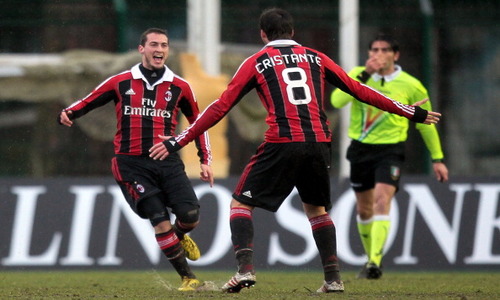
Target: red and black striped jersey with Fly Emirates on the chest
(144, 111)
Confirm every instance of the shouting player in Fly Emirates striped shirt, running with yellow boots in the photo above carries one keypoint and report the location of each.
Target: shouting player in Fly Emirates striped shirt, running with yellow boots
(148, 99)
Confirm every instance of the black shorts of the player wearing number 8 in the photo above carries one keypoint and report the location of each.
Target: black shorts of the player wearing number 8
(277, 168)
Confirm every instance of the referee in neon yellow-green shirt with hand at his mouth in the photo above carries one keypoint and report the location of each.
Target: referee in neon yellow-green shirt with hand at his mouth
(376, 152)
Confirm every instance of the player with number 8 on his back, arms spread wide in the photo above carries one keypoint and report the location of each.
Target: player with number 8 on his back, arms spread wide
(290, 80)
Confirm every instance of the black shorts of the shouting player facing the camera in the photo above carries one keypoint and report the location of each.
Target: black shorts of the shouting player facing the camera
(141, 177)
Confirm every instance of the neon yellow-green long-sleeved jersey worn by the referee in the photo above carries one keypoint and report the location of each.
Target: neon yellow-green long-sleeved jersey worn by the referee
(371, 125)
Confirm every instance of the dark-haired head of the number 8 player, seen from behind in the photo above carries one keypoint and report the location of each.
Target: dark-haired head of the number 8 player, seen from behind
(277, 23)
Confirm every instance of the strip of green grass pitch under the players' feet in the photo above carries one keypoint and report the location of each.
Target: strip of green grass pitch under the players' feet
(270, 285)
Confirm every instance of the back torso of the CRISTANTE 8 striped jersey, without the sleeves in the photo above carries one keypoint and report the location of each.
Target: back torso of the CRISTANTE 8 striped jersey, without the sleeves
(289, 80)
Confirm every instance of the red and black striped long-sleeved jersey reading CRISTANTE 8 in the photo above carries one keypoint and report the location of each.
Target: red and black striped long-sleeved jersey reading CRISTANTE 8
(290, 81)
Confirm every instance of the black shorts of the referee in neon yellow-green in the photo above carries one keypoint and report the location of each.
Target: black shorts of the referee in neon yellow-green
(374, 163)
